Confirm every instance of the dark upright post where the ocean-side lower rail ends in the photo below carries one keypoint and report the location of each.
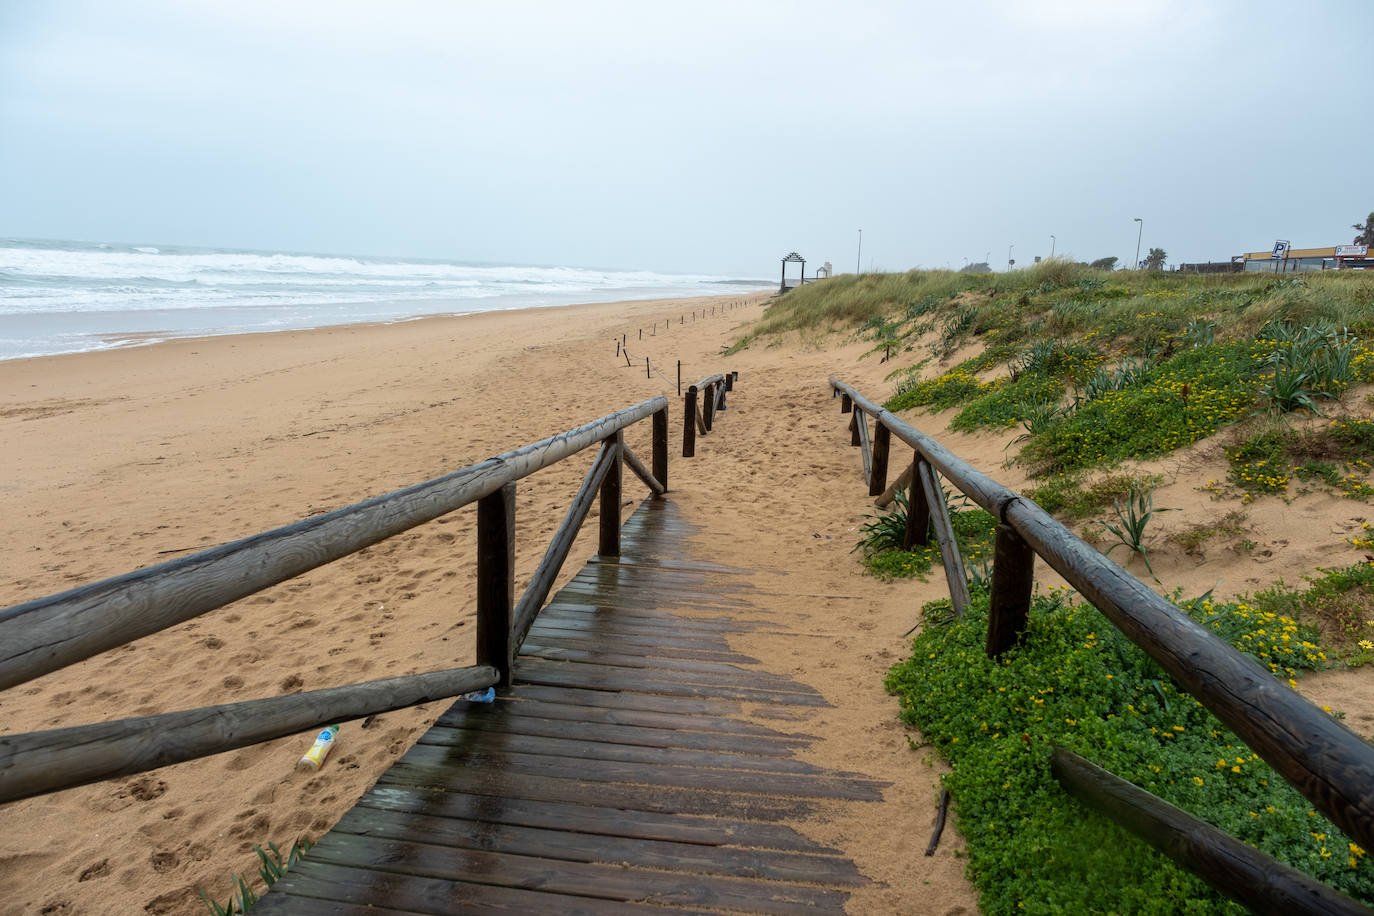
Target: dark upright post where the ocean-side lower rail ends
(497, 580)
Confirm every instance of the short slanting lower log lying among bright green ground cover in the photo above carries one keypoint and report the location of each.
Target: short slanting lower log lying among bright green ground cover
(1240, 871)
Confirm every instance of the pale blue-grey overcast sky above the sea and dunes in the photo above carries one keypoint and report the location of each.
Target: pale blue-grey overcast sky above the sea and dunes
(689, 137)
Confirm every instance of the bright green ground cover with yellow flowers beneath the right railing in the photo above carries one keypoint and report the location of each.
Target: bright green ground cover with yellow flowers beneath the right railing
(1081, 685)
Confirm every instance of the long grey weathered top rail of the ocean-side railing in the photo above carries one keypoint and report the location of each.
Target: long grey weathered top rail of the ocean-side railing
(53, 632)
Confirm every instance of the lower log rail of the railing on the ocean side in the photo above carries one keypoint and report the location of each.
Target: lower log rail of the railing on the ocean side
(39, 763)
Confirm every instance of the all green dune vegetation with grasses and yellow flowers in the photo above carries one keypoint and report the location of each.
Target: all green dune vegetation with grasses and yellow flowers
(1097, 369)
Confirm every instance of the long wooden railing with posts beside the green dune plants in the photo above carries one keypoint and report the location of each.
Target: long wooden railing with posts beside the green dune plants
(1329, 764)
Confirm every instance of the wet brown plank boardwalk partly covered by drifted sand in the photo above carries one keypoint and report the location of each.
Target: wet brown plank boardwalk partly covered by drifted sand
(618, 775)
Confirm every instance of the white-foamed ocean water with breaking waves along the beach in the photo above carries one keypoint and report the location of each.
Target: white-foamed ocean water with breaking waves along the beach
(67, 297)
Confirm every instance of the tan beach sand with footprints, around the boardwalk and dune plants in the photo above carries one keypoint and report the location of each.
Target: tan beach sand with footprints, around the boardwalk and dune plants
(128, 458)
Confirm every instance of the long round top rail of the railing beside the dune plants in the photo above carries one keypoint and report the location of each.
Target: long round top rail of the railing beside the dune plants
(1317, 755)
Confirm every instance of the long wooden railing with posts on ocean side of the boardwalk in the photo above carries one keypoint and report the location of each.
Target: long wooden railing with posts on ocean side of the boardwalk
(53, 632)
